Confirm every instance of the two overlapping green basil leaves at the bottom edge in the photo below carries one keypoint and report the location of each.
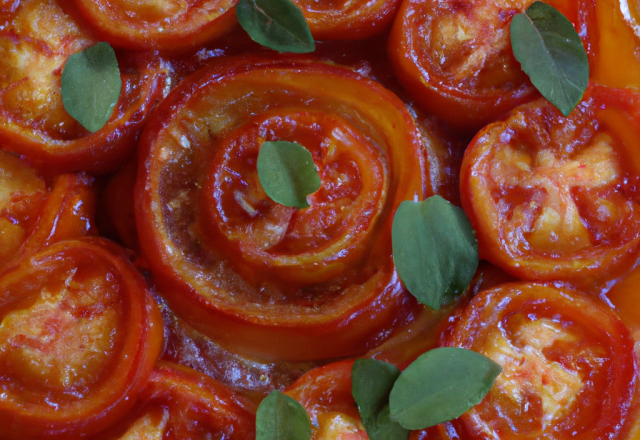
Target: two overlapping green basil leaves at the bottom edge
(439, 386)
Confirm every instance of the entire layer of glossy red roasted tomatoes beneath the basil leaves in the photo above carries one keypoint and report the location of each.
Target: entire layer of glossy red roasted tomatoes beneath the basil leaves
(151, 288)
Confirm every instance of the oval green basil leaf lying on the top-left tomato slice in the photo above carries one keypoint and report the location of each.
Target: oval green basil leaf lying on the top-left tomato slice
(91, 86)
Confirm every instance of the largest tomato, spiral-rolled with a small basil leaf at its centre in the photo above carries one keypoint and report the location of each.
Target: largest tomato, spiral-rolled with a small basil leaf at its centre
(250, 273)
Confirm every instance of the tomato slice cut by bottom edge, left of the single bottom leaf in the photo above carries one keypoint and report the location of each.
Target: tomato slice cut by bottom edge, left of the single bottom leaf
(179, 403)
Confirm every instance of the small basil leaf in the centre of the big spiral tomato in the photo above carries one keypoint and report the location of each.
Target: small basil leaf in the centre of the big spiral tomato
(287, 173)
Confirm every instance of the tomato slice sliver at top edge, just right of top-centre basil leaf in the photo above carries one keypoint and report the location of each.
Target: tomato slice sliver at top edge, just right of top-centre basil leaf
(347, 19)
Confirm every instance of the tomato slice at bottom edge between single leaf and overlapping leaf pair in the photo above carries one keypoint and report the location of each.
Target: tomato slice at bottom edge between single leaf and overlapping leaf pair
(325, 392)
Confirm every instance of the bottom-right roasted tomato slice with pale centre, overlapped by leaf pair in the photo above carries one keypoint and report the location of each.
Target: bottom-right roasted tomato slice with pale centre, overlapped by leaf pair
(569, 368)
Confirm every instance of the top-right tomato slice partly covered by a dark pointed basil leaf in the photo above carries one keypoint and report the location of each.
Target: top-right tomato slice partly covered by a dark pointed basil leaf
(455, 57)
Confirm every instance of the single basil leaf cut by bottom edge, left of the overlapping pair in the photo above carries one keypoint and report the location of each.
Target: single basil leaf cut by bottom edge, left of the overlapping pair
(281, 417)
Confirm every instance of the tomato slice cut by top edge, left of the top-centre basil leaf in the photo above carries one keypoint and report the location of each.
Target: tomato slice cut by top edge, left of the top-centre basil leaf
(164, 24)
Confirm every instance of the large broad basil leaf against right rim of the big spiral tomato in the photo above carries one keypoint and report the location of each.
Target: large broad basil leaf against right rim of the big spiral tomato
(434, 249)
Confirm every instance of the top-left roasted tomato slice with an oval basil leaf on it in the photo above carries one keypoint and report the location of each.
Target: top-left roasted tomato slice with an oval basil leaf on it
(35, 43)
